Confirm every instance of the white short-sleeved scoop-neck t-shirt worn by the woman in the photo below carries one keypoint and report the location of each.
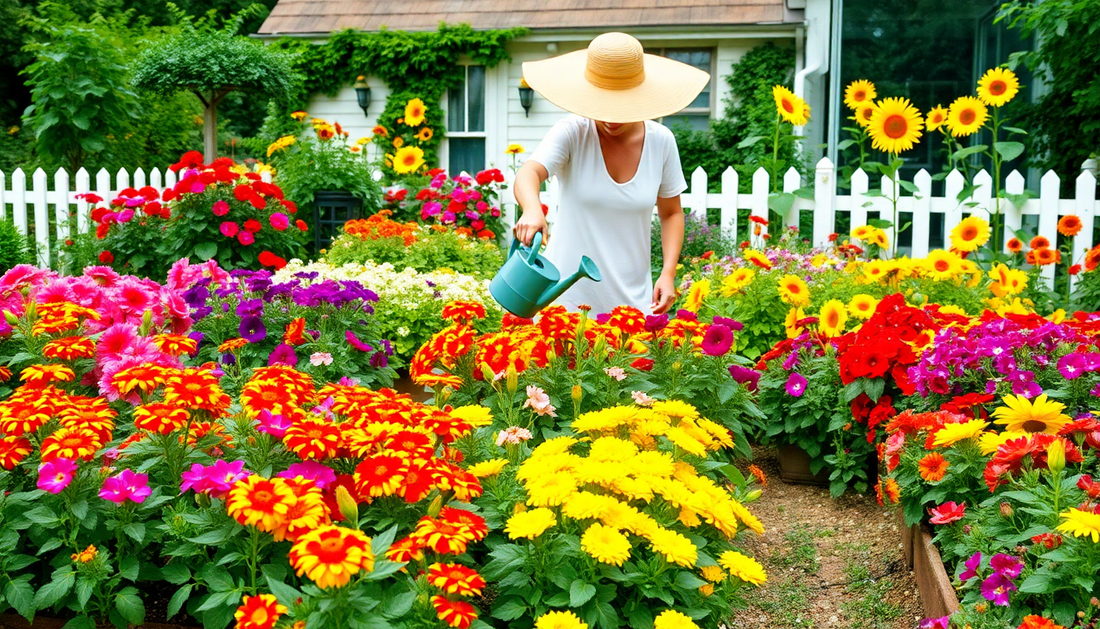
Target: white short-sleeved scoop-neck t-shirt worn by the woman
(606, 220)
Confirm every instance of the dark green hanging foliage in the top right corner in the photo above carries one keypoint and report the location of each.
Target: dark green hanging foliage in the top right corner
(1066, 120)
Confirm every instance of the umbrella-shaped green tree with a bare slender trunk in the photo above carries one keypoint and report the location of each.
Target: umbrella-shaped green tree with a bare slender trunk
(212, 64)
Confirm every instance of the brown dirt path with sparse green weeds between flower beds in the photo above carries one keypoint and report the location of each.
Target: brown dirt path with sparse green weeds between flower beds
(831, 564)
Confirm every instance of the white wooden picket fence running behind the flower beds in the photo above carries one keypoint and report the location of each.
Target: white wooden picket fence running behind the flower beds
(30, 207)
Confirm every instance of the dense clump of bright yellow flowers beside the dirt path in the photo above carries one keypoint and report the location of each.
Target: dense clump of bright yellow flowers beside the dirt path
(632, 483)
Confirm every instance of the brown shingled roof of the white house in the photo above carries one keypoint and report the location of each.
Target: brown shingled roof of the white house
(317, 17)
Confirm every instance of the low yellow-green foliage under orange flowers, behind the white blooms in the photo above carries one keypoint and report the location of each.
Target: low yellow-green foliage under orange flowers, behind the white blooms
(432, 250)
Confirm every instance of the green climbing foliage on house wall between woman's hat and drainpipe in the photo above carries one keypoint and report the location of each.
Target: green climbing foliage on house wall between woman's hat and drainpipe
(750, 113)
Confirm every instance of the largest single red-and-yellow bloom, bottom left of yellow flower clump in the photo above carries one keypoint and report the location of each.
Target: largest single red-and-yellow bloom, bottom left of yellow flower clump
(331, 556)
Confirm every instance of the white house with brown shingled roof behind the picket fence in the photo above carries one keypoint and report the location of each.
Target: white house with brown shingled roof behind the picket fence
(926, 50)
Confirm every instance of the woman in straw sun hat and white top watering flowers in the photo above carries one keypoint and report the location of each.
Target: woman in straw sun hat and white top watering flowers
(614, 164)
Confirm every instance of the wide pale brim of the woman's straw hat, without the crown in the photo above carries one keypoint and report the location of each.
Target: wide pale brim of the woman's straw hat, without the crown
(669, 87)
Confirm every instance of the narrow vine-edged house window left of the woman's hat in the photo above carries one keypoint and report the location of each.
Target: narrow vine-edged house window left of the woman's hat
(466, 123)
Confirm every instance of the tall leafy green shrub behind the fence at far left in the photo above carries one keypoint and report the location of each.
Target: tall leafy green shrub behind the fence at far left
(79, 92)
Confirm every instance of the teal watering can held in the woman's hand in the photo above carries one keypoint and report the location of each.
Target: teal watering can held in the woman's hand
(527, 282)
